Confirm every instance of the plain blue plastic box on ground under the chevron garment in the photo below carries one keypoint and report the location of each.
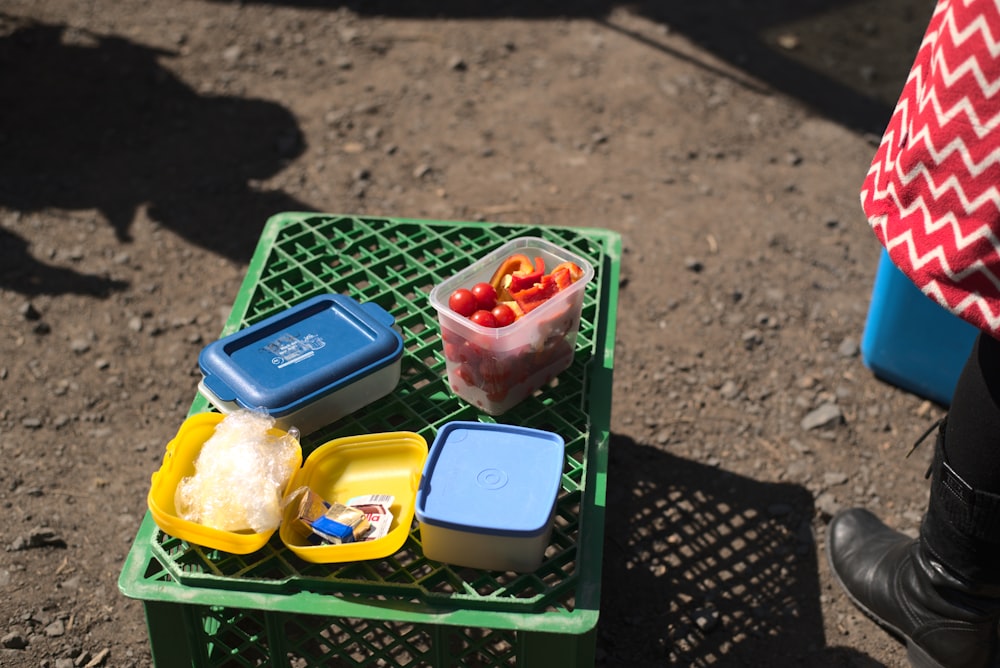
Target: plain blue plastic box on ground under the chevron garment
(912, 341)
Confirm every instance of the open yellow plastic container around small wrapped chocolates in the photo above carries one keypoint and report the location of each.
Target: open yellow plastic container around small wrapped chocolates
(382, 463)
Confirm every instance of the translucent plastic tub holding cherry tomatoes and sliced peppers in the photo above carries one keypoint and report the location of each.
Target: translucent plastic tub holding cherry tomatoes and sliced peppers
(495, 368)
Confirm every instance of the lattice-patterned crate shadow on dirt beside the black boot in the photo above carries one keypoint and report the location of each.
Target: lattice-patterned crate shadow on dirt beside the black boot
(704, 567)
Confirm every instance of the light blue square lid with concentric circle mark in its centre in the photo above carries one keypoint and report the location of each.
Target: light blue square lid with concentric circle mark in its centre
(491, 479)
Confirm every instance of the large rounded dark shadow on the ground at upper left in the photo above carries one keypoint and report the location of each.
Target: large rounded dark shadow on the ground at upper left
(96, 122)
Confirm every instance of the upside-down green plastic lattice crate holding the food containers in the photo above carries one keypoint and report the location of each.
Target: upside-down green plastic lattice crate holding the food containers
(210, 608)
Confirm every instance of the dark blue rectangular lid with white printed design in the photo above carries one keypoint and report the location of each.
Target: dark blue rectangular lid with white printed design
(304, 353)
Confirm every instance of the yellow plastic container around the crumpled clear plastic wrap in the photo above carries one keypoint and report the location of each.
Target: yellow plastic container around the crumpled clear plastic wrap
(178, 463)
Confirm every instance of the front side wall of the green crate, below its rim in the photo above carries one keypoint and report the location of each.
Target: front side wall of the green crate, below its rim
(228, 637)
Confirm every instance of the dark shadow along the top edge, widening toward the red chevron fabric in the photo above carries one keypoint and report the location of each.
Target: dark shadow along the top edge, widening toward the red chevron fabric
(847, 60)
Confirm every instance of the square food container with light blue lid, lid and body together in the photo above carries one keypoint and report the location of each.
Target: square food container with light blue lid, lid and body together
(487, 495)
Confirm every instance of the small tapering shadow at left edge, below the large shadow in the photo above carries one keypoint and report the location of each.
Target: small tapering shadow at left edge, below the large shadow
(32, 277)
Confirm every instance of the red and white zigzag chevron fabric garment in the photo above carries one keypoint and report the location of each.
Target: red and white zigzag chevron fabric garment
(931, 194)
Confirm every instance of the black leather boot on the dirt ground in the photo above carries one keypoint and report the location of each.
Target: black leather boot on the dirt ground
(940, 593)
